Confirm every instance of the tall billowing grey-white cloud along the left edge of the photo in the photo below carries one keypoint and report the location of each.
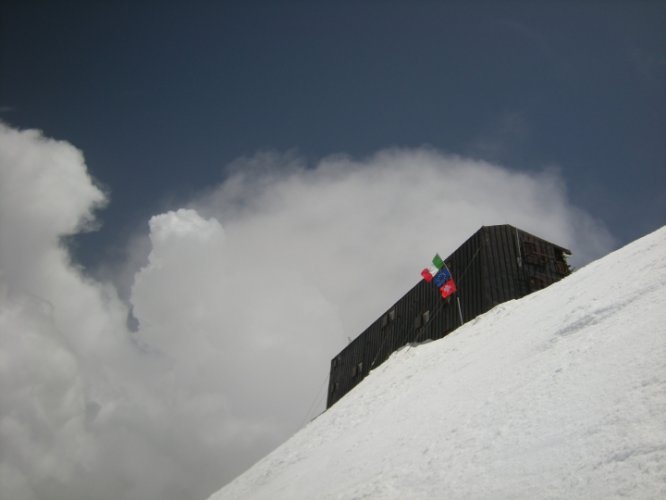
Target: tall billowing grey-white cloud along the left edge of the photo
(84, 411)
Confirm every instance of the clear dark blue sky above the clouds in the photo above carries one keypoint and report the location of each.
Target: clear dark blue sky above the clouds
(161, 96)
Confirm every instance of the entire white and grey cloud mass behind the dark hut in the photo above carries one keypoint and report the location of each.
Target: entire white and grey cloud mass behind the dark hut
(246, 295)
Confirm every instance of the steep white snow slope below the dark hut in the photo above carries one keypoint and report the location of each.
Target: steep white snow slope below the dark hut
(561, 394)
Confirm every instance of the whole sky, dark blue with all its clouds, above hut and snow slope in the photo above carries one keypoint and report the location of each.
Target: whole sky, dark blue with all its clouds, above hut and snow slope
(201, 202)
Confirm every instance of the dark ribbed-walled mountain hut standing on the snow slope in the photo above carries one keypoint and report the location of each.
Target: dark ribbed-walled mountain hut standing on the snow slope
(496, 264)
